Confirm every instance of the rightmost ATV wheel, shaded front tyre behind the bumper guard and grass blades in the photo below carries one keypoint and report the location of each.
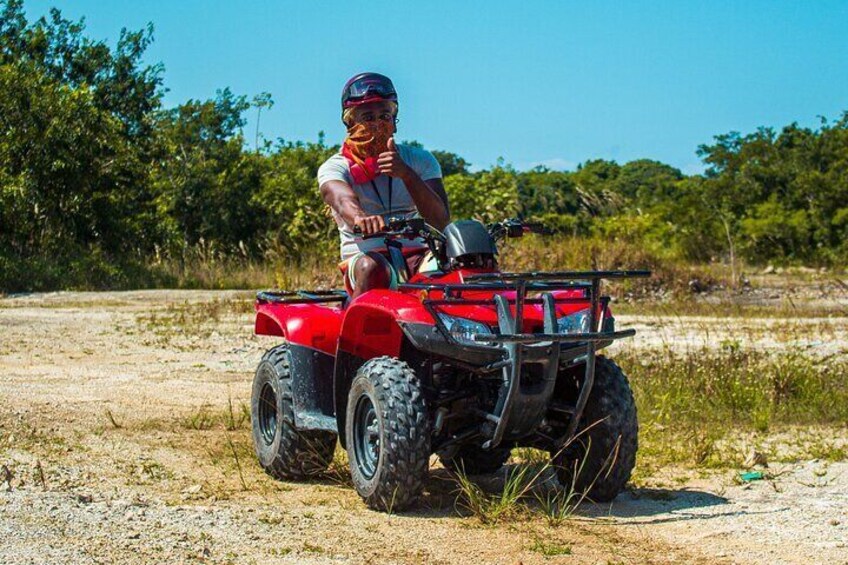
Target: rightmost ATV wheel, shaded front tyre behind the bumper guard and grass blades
(601, 458)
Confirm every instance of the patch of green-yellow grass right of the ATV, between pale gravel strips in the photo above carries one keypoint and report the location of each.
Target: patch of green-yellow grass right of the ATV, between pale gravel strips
(710, 407)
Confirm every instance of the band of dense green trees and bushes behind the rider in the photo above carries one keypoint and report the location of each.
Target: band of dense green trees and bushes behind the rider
(100, 185)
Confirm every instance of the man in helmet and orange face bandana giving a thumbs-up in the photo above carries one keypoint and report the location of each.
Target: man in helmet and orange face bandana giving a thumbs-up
(372, 179)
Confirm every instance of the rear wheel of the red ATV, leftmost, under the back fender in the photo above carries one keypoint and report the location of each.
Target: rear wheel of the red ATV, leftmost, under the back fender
(284, 451)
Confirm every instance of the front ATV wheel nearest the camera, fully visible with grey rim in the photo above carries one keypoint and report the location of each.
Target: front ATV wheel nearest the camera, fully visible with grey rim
(388, 434)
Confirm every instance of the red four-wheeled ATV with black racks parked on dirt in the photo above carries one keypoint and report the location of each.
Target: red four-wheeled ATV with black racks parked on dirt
(466, 362)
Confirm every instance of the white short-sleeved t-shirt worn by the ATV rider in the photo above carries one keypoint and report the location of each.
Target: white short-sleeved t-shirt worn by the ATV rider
(379, 197)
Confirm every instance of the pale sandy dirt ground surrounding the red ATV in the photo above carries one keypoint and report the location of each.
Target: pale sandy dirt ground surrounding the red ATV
(123, 438)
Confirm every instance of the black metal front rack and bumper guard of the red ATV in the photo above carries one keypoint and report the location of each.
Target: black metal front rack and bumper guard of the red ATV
(516, 410)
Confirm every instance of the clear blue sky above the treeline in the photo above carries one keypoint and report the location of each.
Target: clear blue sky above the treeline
(533, 82)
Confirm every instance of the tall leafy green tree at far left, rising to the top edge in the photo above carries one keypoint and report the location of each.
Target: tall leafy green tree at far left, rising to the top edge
(75, 148)
